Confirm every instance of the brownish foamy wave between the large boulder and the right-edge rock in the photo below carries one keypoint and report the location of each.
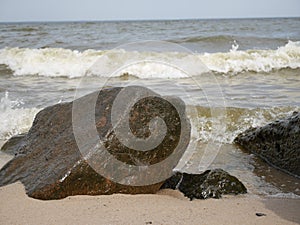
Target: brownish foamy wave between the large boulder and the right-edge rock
(235, 121)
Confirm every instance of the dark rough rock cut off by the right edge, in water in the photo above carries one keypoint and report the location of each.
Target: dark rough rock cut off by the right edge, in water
(277, 143)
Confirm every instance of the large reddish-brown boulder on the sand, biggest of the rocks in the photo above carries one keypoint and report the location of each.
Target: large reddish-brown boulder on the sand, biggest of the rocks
(52, 164)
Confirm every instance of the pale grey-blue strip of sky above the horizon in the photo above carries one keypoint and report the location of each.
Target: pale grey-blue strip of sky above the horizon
(59, 10)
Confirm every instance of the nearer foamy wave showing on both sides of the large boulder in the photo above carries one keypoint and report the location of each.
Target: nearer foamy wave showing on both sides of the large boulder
(16, 119)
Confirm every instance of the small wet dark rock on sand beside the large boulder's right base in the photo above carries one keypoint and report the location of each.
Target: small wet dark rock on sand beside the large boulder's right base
(210, 184)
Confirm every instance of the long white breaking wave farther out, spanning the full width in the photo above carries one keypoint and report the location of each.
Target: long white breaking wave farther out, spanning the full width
(55, 62)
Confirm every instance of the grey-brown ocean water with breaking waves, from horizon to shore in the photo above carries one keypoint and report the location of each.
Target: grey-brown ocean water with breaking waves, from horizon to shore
(232, 74)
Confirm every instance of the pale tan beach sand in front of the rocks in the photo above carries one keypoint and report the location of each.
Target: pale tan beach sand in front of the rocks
(165, 207)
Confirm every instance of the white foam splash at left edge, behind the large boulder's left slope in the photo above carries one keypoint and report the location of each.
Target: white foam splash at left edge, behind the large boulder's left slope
(14, 118)
